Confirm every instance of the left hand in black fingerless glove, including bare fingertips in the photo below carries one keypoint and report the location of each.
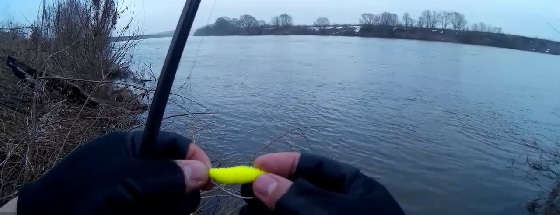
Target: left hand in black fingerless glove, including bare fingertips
(110, 176)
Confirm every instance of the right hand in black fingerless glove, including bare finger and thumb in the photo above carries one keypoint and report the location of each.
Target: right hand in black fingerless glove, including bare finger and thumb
(308, 184)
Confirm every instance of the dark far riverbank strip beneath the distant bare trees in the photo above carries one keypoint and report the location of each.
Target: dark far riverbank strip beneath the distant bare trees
(398, 32)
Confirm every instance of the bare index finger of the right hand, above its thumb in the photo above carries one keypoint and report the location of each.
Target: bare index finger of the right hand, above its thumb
(283, 164)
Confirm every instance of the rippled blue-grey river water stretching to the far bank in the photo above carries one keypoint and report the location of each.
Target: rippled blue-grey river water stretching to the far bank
(446, 127)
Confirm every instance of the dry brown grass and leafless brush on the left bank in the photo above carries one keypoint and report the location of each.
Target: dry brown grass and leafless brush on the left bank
(38, 126)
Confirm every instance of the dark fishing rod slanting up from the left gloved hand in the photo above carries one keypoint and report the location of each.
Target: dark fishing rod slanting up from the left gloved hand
(167, 76)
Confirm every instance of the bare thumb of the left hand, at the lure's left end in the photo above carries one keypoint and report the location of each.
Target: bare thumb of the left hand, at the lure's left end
(195, 172)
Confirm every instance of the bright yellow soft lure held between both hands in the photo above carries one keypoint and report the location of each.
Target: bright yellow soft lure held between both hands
(235, 175)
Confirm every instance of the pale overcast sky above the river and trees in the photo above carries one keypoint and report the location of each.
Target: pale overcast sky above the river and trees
(525, 17)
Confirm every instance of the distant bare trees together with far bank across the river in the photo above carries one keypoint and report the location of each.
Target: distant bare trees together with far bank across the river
(430, 25)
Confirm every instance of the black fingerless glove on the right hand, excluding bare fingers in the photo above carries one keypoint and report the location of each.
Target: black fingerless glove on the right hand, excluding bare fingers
(323, 186)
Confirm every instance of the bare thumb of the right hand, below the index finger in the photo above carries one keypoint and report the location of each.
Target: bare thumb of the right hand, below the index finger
(269, 188)
